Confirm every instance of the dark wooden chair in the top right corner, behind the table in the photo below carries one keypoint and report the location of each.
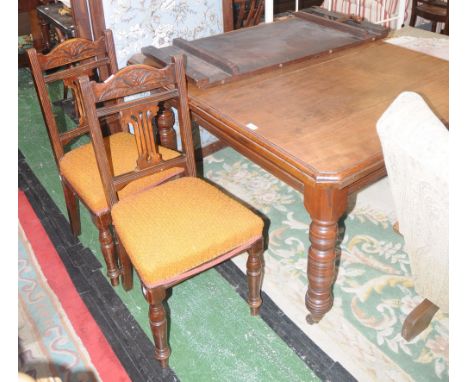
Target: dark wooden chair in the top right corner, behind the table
(436, 11)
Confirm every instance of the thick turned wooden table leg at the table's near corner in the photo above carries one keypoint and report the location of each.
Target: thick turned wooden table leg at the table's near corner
(325, 205)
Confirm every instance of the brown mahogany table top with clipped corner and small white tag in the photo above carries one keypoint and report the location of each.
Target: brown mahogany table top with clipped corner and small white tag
(317, 119)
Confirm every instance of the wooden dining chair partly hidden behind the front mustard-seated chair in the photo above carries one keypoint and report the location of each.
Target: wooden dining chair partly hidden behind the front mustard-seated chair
(77, 167)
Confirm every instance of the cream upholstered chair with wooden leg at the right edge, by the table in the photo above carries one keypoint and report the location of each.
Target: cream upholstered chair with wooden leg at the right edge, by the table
(415, 147)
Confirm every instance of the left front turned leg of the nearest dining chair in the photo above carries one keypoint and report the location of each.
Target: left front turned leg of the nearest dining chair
(158, 322)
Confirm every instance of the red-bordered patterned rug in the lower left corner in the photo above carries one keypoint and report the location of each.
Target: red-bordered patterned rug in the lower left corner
(57, 336)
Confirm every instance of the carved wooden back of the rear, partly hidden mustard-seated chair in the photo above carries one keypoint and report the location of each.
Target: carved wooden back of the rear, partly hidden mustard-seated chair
(66, 62)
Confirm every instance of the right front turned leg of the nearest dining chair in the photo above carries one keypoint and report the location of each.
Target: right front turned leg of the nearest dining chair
(255, 276)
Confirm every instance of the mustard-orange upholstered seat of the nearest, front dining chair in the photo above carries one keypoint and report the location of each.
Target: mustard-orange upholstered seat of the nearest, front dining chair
(180, 225)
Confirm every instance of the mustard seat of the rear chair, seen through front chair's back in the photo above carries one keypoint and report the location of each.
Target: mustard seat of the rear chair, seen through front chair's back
(80, 169)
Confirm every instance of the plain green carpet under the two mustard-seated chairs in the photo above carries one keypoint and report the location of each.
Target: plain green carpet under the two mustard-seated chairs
(212, 336)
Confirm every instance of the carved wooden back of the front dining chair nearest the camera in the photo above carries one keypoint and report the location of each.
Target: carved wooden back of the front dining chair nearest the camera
(152, 87)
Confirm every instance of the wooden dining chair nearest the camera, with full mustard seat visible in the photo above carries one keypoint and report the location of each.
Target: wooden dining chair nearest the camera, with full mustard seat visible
(178, 229)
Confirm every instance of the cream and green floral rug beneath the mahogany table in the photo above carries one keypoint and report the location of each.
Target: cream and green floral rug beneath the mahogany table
(373, 292)
